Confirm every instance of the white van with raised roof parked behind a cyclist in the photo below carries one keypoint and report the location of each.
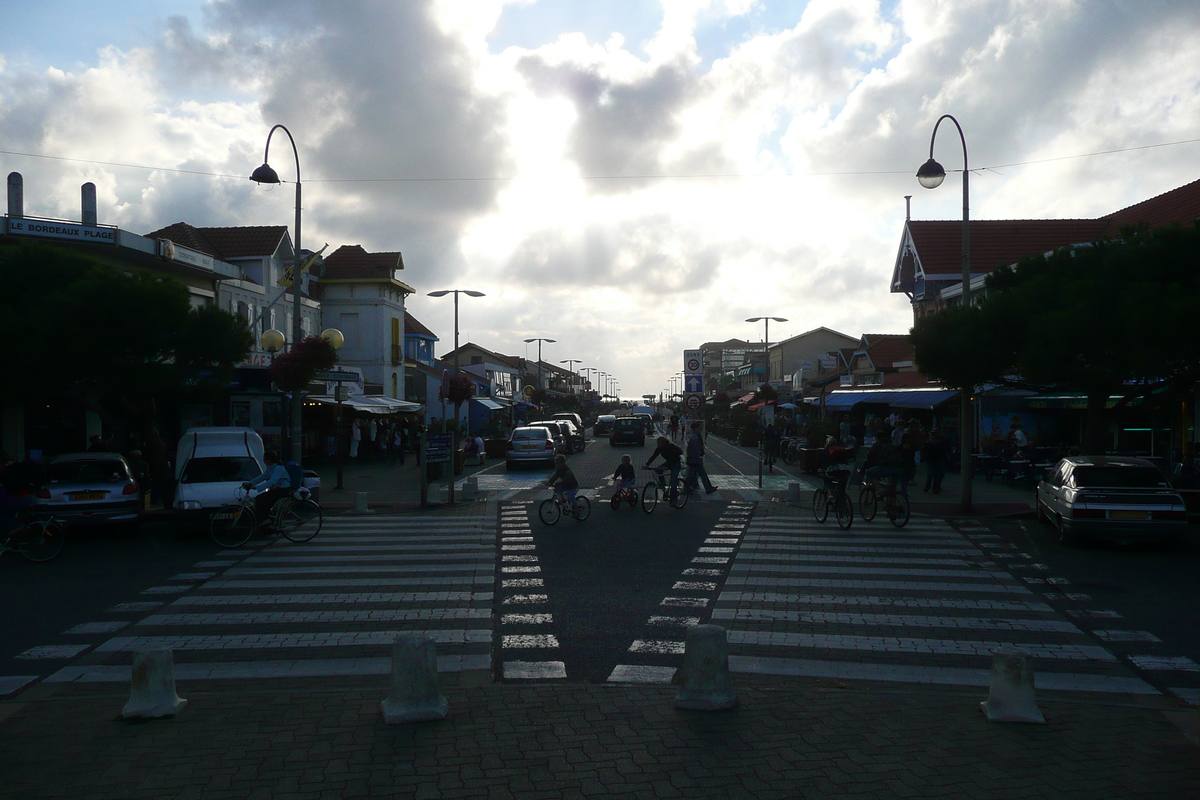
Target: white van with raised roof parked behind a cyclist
(213, 464)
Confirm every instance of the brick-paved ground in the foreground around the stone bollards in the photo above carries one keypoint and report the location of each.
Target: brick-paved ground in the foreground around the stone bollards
(814, 739)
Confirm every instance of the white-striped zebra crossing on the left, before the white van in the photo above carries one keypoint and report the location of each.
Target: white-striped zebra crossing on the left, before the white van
(329, 607)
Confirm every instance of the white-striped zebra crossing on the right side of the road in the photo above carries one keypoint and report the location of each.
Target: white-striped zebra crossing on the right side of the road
(923, 605)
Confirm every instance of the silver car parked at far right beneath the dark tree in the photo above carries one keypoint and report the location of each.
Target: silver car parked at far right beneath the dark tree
(1111, 497)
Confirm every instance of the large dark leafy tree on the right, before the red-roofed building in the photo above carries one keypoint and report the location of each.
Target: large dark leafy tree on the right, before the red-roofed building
(1115, 318)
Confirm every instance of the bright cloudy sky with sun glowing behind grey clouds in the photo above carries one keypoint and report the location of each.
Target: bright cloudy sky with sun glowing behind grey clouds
(631, 178)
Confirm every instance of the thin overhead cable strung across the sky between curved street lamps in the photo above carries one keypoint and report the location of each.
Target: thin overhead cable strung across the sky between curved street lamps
(598, 178)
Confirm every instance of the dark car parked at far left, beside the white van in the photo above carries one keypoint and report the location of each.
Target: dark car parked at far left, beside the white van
(91, 489)
